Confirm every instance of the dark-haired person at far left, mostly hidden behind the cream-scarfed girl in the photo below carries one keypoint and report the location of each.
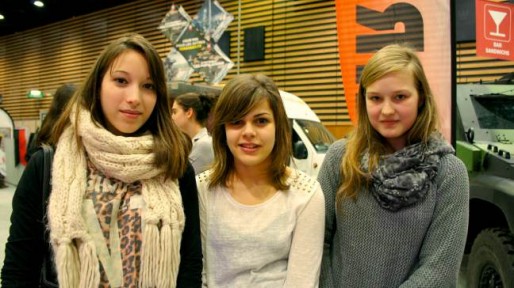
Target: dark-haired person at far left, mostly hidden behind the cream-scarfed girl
(61, 97)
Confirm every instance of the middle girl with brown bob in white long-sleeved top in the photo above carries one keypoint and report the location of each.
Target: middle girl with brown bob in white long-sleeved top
(261, 221)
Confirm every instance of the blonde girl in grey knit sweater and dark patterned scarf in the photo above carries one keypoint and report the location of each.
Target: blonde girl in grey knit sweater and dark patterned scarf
(396, 195)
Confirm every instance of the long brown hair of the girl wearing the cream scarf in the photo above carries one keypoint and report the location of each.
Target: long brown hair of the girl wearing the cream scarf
(171, 147)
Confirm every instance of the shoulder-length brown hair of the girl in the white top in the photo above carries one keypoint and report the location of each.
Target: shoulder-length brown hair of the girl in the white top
(239, 96)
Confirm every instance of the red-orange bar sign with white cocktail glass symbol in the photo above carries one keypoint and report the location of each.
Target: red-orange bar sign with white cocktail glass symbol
(494, 29)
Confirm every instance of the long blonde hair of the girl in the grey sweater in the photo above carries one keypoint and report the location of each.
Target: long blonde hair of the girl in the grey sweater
(365, 139)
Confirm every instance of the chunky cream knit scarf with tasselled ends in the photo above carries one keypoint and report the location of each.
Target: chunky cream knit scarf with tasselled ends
(128, 159)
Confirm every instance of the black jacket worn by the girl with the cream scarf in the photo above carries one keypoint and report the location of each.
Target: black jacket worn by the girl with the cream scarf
(26, 247)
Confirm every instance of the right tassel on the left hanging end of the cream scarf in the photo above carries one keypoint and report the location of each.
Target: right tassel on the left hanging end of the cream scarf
(89, 268)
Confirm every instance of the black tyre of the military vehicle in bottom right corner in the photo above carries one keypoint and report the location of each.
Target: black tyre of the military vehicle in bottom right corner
(491, 262)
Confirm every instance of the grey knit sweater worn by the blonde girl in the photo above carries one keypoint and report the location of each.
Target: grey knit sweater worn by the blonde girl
(417, 246)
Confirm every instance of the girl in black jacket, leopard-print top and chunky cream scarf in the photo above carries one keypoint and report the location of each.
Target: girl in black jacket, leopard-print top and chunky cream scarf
(123, 208)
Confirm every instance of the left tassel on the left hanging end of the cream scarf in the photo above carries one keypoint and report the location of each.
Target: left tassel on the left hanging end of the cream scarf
(67, 263)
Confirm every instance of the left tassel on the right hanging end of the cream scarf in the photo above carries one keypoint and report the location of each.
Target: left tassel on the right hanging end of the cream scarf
(149, 256)
